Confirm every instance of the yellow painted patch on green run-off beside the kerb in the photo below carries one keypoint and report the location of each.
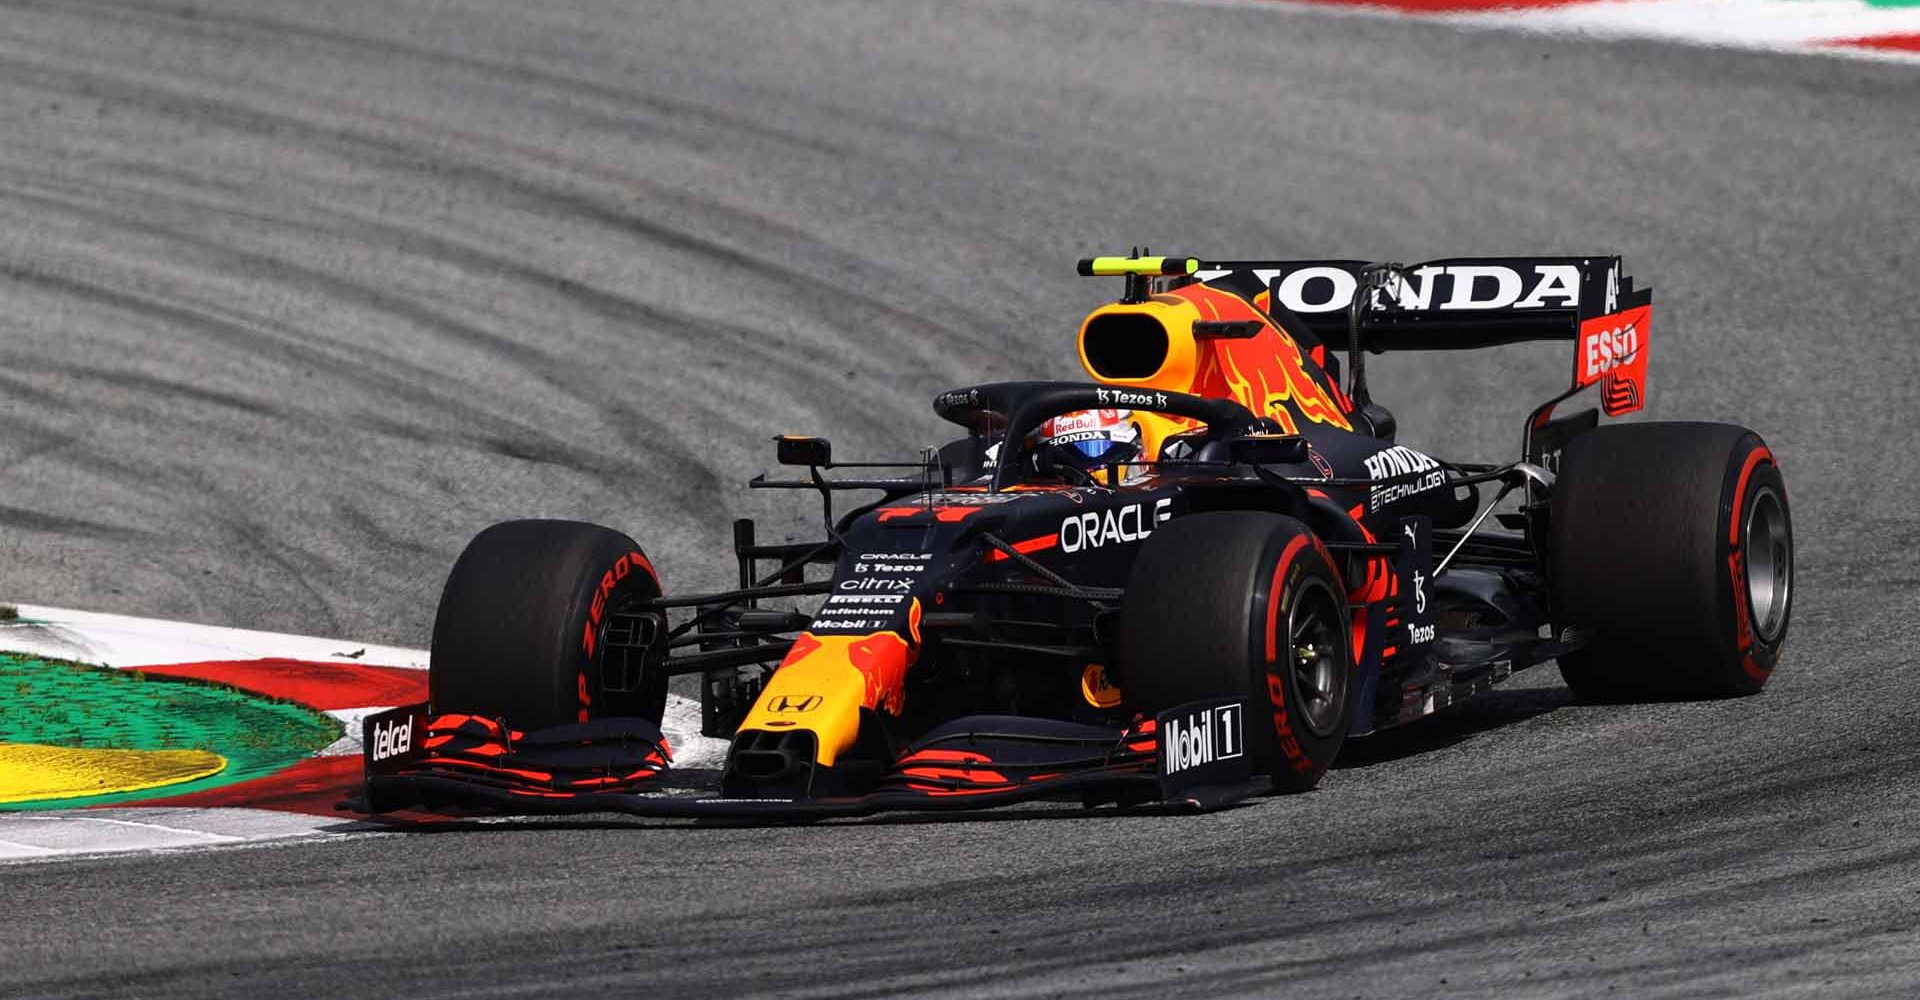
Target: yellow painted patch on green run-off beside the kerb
(32, 773)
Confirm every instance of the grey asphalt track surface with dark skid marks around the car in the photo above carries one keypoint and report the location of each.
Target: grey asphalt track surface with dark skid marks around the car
(299, 297)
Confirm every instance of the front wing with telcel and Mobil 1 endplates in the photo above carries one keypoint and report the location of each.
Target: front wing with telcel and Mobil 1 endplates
(1189, 759)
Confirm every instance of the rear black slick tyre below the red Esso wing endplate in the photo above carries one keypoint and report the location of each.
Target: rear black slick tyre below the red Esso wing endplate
(1671, 554)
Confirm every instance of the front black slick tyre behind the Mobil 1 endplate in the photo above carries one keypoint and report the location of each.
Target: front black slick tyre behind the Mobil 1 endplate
(1249, 606)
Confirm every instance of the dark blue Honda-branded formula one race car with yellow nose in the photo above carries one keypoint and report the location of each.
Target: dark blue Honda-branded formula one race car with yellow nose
(1184, 583)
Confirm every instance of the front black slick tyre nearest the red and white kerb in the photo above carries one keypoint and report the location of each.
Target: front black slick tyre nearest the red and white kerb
(523, 621)
